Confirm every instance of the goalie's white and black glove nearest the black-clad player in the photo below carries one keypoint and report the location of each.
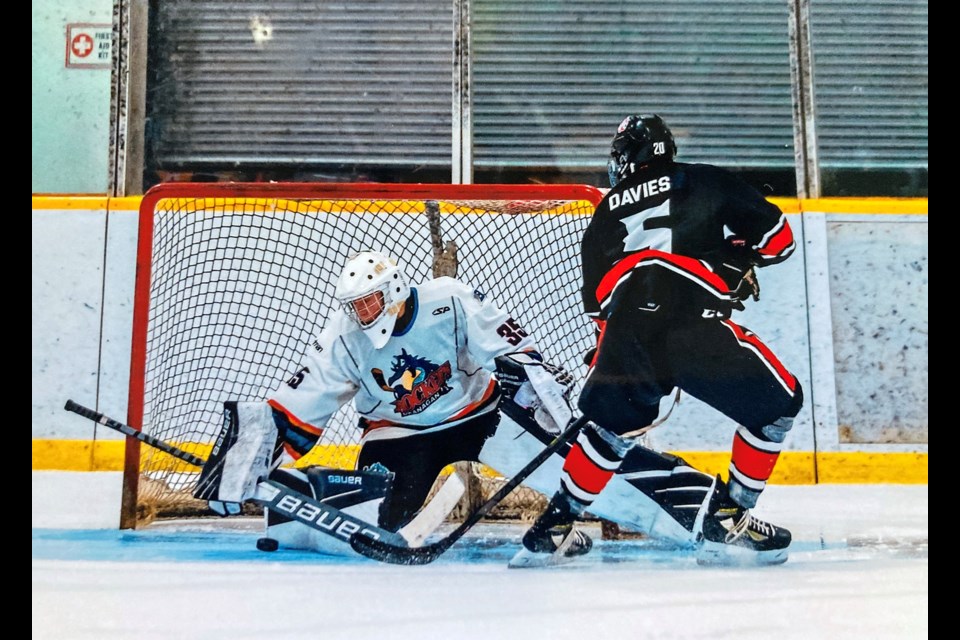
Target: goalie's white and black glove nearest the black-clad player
(537, 386)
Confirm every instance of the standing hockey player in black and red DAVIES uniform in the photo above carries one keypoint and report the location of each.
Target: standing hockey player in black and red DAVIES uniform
(668, 256)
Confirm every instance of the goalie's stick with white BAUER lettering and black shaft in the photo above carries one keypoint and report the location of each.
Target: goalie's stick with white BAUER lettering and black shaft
(293, 504)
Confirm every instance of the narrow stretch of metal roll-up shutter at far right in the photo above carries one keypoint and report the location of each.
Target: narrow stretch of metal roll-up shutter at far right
(870, 82)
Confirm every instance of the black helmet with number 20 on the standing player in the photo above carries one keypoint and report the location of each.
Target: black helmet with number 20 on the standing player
(640, 140)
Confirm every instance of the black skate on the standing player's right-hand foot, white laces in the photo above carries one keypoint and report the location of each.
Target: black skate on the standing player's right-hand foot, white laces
(731, 535)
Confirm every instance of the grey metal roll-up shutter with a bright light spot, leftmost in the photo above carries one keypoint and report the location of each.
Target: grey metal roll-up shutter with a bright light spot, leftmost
(300, 84)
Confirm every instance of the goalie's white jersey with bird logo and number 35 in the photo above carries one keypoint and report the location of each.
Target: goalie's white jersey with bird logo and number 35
(431, 374)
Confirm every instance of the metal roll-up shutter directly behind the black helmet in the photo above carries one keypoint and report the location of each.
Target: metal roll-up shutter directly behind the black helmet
(553, 79)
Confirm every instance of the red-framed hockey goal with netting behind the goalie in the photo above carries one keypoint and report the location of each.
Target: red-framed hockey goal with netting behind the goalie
(234, 280)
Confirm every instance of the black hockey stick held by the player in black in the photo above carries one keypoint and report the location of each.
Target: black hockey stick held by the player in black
(402, 554)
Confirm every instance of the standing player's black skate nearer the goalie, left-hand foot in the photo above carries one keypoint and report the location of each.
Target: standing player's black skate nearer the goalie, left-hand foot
(552, 539)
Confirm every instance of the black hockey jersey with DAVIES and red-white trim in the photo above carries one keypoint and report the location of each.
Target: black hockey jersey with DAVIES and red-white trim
(686, 231)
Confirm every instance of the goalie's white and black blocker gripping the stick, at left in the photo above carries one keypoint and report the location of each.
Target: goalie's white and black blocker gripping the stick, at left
(246, 451)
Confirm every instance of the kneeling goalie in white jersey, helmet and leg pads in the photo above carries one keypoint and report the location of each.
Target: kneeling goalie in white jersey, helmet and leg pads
(438, 374)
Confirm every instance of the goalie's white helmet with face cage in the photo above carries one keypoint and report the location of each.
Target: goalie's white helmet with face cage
(371, 290)
